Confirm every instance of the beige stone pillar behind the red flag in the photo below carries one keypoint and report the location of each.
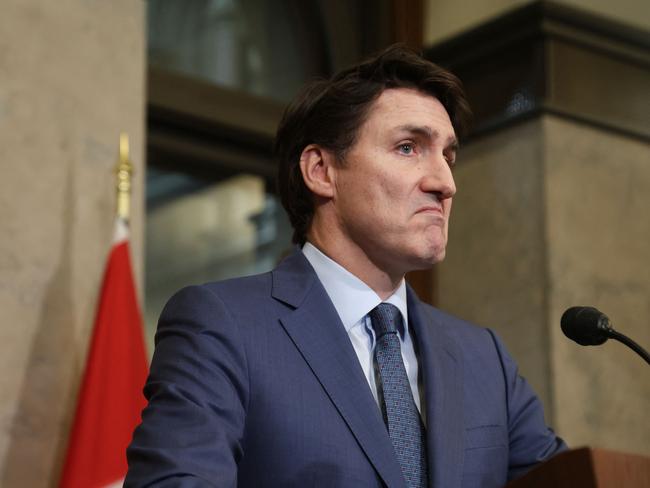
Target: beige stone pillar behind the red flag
(72, 79)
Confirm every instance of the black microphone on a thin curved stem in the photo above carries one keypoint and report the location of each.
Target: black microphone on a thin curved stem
(588, 326)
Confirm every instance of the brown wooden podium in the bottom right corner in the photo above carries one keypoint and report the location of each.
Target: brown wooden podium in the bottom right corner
(588, 468)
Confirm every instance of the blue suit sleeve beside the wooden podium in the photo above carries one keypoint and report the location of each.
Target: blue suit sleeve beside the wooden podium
(531, 441)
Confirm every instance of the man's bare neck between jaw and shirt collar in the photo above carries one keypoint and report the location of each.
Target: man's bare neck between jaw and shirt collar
(349, 255)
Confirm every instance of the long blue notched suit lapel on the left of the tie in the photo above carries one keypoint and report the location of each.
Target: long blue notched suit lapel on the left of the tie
(316, 330)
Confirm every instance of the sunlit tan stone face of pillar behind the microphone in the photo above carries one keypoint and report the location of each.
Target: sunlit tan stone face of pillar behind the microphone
(597, 232)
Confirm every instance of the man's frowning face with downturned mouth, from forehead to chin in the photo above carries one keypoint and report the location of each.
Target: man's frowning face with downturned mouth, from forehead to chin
(393, 190)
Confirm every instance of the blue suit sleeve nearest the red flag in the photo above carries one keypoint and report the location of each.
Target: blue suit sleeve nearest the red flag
(191, 429)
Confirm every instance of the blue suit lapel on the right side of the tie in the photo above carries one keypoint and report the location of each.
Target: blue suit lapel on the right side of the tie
(442, 374)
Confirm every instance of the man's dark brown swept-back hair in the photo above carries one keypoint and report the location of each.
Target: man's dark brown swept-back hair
(329, 113)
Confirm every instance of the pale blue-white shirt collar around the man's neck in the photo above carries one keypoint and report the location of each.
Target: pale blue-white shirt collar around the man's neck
(352, 298)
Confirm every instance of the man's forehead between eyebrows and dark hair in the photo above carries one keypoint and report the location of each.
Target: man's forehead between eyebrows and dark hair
(397, 107)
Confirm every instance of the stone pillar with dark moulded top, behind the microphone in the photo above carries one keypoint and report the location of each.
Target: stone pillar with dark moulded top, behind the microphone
(552, 209)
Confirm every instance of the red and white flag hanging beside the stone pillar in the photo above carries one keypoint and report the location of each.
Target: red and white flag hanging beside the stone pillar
(110, 398)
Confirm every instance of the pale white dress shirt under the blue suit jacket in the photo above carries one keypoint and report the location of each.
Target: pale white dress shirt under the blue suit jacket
(353, 300)
